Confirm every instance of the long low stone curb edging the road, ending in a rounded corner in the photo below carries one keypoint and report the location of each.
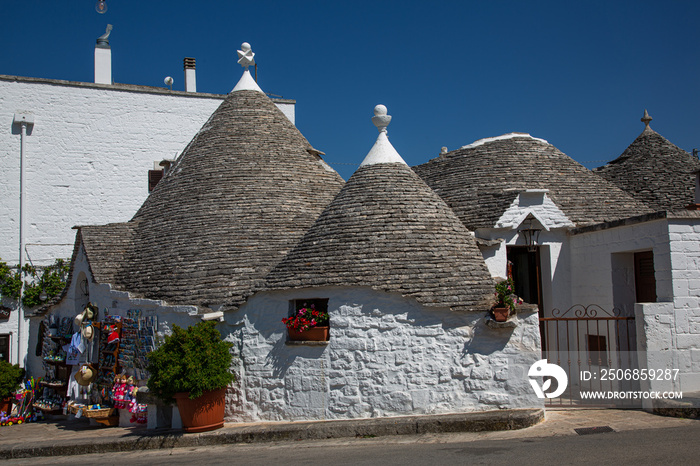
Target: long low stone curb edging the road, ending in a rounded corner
(470, 422)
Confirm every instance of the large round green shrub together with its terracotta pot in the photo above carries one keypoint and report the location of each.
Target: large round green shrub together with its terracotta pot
(192, 367)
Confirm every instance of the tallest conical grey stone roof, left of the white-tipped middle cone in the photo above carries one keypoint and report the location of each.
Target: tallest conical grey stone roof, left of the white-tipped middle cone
(239, 197)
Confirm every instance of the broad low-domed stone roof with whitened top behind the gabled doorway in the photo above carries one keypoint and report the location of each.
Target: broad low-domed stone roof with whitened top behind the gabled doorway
(481, 180)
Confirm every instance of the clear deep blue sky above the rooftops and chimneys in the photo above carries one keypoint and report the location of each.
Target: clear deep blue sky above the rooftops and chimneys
(578, 74)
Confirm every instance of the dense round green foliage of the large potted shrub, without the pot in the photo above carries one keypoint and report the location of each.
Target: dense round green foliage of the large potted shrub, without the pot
(194, 360)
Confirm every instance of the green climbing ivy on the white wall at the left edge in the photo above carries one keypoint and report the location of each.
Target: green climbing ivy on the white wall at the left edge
(50, 280)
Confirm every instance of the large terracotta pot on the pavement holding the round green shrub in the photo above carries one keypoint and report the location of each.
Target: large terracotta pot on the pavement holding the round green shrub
(204, 413)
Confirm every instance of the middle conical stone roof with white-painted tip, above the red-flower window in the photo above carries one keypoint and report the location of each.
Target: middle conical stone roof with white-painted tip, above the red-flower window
(387, 230)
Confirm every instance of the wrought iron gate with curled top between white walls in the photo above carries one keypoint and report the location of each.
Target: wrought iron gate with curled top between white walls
(597, 349)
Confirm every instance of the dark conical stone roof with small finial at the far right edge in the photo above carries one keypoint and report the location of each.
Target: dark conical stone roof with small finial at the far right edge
(655, 171)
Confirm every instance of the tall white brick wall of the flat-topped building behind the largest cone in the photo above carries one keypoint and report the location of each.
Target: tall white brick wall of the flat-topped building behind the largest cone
(87, 156)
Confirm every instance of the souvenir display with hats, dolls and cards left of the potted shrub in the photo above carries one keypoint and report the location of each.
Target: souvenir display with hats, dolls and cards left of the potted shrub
(95, 372)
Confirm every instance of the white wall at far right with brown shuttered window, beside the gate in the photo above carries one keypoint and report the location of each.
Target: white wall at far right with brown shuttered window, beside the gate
(668, 332)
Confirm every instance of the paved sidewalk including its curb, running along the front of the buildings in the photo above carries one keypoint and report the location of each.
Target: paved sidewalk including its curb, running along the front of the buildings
(74, 437)
